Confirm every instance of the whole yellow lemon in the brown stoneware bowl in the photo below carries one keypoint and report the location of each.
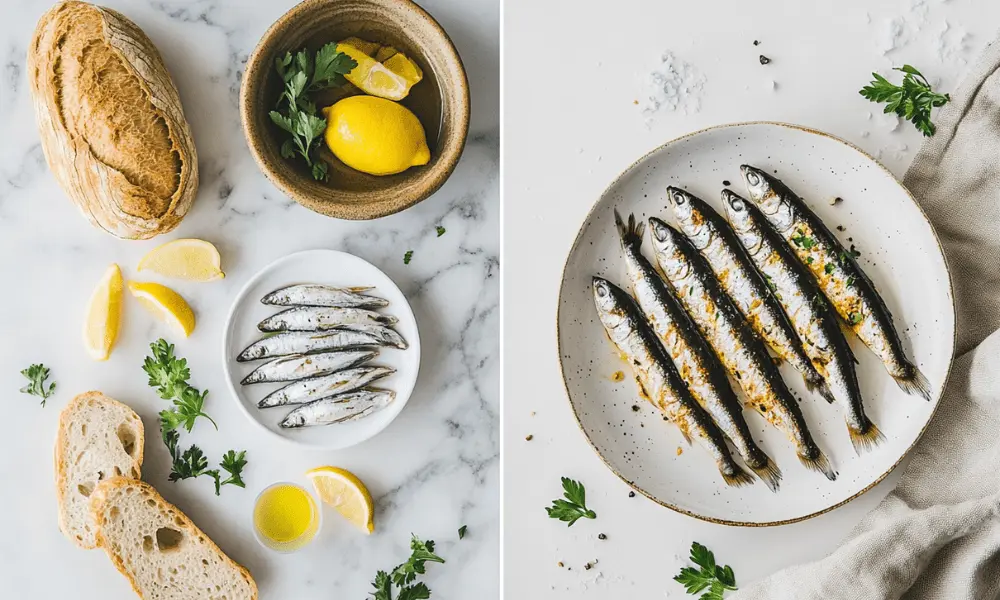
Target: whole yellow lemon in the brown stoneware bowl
(375, 135)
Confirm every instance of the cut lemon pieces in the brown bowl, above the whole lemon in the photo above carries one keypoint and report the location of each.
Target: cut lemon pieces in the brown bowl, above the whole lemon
(377, 79)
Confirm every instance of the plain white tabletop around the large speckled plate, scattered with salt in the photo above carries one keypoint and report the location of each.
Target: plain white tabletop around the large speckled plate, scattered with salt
(571, 73)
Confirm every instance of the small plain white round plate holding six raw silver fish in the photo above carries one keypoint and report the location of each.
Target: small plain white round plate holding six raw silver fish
(328, 267)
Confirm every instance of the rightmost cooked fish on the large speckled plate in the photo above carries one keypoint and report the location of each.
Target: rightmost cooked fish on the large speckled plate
(841, 279)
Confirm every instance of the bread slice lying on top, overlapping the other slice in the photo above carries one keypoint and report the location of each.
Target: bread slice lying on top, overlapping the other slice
(161, 552)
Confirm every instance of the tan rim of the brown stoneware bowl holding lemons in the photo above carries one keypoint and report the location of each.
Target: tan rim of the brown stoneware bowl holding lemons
(255, 73)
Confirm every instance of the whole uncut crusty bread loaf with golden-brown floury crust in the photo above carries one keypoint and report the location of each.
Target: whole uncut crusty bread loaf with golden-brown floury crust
(110, 120)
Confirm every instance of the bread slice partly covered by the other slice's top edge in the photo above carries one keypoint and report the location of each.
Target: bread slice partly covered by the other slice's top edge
(99, 438)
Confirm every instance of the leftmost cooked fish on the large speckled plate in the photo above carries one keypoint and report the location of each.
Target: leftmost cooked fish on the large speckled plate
(658, 378)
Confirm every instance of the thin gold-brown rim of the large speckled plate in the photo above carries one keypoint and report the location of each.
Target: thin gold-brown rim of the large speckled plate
(937, 399)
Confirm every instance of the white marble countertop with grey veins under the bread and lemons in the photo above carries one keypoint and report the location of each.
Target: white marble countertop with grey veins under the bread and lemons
(434, 469)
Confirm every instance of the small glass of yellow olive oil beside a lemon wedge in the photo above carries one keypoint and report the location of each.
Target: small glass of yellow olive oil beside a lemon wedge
(285, 517)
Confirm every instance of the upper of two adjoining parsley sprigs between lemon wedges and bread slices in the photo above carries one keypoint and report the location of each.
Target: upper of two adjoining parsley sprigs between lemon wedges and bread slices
(169, 375)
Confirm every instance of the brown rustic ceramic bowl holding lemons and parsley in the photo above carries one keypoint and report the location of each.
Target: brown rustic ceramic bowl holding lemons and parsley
(440, 101)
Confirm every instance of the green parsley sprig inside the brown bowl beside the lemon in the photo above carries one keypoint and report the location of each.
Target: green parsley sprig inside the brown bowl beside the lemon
(296, 113)
